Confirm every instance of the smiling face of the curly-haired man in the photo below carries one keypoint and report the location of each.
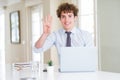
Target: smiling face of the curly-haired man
(68, 20)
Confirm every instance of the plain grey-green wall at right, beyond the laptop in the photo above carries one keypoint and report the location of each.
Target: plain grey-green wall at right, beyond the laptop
(109, 34)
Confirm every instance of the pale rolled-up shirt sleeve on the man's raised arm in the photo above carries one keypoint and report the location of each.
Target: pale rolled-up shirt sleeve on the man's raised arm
(50, 40)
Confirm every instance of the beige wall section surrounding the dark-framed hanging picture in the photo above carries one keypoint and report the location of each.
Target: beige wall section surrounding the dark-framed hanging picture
(15, 52)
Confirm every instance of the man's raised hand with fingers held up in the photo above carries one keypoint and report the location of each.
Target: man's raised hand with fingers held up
(47, 24)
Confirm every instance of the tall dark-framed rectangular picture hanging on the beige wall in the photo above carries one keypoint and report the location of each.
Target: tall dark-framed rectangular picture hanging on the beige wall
(15, 27)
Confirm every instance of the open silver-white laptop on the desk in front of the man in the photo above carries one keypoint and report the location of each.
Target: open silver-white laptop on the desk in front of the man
(78, 59)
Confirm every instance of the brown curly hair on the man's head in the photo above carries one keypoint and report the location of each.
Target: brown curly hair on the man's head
(67, 8)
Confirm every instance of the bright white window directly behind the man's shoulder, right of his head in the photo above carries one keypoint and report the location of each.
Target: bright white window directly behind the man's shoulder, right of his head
(87, 16)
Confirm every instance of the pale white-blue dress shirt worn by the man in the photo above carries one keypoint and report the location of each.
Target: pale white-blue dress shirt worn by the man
(79, 38)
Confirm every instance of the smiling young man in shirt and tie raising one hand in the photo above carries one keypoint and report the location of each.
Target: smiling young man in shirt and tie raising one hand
(68, 35)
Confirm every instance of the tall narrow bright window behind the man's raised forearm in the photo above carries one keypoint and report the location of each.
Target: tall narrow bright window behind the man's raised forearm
(37, 29)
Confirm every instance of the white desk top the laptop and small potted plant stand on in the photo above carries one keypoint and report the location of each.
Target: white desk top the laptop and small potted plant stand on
(99, 75)
